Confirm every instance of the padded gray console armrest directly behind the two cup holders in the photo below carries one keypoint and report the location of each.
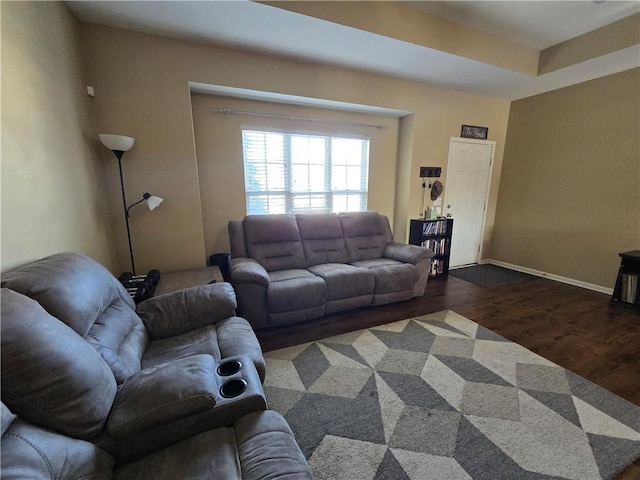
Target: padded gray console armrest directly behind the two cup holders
(162, 394)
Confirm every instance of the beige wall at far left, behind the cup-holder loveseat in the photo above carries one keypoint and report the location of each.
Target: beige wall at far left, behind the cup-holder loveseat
(53, 193)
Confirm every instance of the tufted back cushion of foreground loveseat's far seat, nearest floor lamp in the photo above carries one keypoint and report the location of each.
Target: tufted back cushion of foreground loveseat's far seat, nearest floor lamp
(84, 295)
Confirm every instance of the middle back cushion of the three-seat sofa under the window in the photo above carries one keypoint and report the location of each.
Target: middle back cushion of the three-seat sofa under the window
(322, 238)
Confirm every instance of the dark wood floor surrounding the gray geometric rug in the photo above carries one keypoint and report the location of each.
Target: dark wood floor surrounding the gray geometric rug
(571, 326)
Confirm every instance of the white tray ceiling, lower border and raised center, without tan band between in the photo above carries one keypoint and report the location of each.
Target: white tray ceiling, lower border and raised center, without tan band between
(270, 30)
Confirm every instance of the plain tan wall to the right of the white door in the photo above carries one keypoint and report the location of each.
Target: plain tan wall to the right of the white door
(570, 191)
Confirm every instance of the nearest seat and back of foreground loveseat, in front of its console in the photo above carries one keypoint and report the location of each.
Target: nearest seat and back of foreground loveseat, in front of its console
(258, 446)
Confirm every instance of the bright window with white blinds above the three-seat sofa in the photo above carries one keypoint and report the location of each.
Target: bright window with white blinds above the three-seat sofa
(302, 173)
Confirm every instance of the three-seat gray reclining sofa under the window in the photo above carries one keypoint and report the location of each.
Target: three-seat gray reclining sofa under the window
(292, 268)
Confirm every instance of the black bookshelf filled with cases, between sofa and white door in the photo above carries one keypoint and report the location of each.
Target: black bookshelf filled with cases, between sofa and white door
(435, 235)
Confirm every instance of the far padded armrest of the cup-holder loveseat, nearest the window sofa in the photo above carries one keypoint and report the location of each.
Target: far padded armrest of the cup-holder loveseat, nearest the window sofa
(188, 309)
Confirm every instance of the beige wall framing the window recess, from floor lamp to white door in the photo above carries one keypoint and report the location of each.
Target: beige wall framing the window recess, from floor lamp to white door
(142, 90)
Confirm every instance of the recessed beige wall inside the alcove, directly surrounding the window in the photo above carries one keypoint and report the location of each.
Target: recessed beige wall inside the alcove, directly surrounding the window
(220, 164)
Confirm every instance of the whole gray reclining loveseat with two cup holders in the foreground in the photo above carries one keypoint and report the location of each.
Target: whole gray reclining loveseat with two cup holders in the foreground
(170, 389)
